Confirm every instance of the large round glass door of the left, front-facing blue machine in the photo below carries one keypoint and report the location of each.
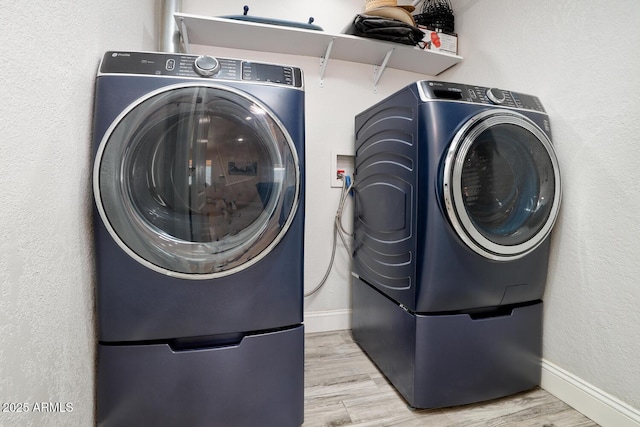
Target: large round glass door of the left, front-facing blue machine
(197, 181)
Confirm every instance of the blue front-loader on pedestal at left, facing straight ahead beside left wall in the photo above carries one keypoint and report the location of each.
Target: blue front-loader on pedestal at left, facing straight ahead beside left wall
(199, 225)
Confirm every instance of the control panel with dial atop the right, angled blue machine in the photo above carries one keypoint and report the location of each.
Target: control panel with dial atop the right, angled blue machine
(478, 94)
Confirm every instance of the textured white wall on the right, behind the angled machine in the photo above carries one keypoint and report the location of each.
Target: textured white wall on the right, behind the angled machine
(582, 60)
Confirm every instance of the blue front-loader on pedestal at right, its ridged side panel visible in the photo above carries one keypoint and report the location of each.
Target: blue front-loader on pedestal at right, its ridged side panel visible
(457, 191)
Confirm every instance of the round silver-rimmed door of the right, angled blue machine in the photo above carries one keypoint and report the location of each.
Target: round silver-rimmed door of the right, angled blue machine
(501, 185)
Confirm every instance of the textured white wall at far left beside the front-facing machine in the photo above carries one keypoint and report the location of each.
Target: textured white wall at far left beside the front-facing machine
(50, 52)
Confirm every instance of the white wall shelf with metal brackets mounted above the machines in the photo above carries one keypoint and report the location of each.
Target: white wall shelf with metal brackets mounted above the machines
(235, 34)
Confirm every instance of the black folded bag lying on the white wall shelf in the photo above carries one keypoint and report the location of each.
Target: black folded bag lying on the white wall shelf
(392, 30)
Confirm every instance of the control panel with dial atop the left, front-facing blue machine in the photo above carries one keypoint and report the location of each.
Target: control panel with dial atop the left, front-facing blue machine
(195, 66)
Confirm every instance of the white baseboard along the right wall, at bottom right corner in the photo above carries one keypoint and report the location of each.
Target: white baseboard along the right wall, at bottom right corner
(596, 404)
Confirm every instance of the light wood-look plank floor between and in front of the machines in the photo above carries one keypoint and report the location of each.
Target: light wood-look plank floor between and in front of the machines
(344, 388)
